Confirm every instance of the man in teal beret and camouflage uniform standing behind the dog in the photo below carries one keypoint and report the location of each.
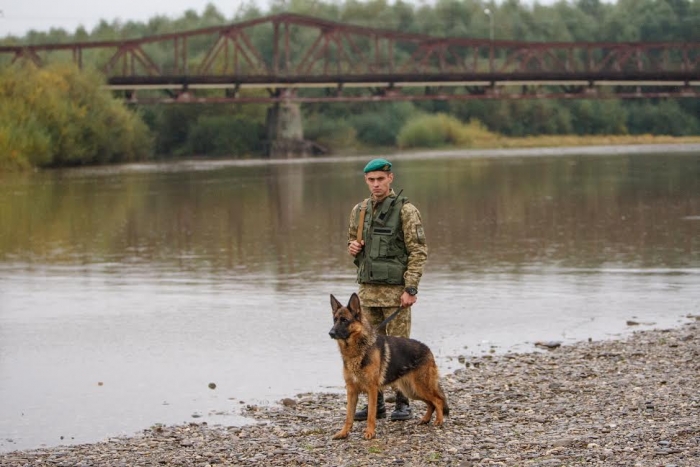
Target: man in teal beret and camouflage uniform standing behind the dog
(390, 252)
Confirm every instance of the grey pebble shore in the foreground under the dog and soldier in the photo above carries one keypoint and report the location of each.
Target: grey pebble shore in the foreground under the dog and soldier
(632, 402)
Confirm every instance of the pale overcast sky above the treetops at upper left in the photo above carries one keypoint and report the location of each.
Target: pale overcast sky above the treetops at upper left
(17, 17)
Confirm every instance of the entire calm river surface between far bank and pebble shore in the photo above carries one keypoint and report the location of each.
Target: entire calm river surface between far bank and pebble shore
(156, 281)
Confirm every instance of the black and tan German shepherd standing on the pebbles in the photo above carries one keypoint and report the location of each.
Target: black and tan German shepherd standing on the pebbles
(373, 361)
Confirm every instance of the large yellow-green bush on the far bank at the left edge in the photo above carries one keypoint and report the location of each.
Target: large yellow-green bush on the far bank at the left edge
(58, 115)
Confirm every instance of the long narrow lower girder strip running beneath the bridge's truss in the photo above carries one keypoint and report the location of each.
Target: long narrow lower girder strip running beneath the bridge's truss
(287, 89)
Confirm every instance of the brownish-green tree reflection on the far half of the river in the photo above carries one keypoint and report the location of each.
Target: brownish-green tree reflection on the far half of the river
(577, 211)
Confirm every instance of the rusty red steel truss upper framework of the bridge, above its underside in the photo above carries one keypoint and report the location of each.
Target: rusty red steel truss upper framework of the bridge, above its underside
(346, 53)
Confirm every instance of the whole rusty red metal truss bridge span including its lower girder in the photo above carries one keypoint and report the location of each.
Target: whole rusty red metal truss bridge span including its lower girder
(289, 57)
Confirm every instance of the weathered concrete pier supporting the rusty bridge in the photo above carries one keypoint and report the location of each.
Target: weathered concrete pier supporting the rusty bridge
(285, 131)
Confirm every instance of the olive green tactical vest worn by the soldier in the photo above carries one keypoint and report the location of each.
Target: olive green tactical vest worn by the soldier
(384, 258)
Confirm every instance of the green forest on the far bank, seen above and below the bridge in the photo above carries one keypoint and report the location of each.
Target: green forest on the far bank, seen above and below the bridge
(77, 124)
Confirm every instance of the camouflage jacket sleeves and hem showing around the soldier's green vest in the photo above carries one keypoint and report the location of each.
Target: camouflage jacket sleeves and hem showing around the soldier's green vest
(417, 249)
